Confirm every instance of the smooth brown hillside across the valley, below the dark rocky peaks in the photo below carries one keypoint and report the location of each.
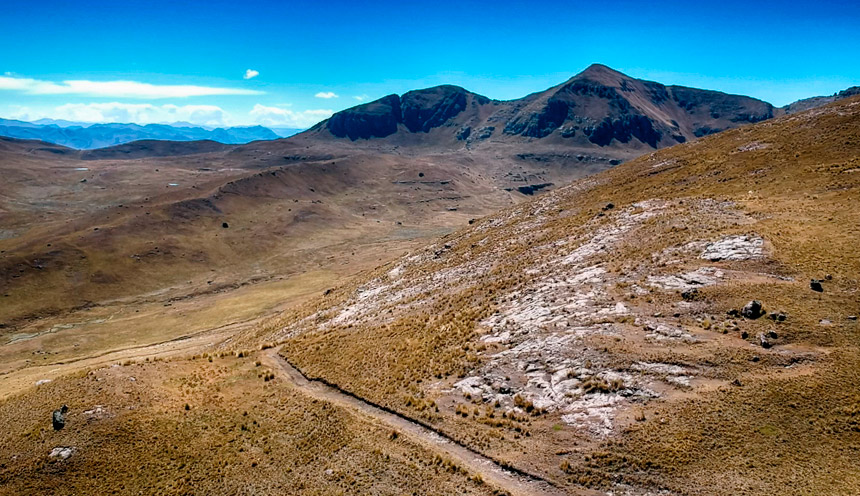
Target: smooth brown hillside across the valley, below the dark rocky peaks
(102, 244)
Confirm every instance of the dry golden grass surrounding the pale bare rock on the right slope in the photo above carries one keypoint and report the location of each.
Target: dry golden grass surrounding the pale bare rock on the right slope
(794, 181)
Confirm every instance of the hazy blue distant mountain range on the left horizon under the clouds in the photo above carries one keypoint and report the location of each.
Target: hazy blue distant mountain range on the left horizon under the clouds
(87, 136)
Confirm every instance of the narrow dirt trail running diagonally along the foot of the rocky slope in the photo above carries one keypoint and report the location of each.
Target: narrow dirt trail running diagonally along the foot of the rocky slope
(491, 472)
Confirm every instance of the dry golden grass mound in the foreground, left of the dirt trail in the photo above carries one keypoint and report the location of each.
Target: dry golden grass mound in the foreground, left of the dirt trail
(206, 427)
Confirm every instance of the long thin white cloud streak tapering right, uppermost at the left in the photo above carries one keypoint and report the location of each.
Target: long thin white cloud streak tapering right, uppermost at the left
(114, 89)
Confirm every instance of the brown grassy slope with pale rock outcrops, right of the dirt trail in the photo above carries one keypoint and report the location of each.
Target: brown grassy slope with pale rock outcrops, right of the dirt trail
(593, 335)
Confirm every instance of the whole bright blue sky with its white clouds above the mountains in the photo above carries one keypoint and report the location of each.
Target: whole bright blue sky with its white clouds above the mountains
(290, 64)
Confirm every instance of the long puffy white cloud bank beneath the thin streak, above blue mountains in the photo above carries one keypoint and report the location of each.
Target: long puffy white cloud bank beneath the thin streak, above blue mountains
(140, 113)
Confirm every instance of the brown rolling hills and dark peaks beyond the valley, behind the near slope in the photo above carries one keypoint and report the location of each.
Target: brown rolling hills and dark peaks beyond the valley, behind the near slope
(140, 217)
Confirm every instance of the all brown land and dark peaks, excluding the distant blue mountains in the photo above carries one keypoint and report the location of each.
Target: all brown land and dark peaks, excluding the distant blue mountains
(413, 297)
